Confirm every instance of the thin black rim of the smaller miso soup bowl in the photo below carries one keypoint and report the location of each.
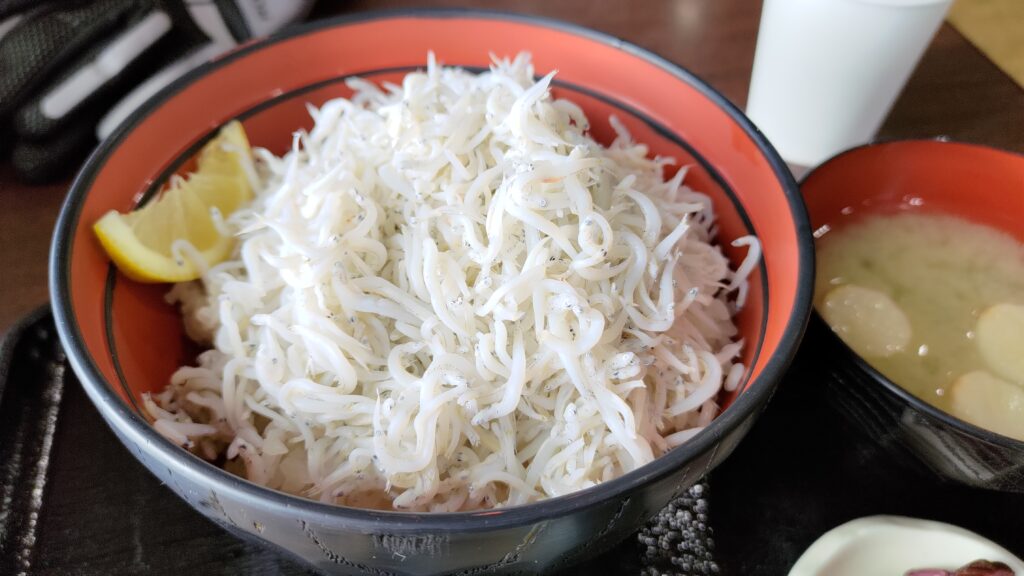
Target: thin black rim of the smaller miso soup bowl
(918, 404)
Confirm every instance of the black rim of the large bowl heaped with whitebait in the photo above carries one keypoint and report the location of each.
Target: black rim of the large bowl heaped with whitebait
(127, 423)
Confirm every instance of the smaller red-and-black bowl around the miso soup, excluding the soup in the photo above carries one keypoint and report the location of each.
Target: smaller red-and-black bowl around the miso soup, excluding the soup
(979, 184)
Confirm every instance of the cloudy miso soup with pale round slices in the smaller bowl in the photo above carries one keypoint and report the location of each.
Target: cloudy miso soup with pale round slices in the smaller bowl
(936, 304)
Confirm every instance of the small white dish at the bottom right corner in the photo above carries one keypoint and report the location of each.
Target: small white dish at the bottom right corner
(887, 546)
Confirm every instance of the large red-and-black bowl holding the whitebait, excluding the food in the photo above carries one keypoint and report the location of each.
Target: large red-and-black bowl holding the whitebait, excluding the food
(123, 340)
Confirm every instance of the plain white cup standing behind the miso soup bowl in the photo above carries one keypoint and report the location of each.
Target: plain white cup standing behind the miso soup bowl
(827, 72)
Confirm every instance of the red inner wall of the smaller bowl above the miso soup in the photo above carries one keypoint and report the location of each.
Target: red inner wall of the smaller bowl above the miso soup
(982, 185)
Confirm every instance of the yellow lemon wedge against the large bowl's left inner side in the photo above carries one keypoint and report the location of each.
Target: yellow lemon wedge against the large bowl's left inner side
(175, 238)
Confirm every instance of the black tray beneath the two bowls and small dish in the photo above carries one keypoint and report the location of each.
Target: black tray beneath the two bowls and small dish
(73, 502)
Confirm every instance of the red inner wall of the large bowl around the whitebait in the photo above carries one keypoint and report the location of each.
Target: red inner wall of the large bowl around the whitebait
(134, 341)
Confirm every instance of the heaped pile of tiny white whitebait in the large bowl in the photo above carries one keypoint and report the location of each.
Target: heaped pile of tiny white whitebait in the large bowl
(448, 297)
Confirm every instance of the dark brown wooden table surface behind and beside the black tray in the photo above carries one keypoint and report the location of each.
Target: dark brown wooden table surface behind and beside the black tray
(956, 93)
